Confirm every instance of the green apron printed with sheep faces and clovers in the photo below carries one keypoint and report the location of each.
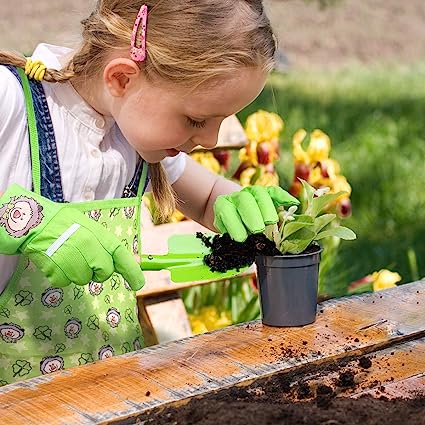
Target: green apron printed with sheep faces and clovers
(45, 329)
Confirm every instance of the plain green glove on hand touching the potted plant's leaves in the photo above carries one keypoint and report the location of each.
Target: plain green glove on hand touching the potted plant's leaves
(250, 210)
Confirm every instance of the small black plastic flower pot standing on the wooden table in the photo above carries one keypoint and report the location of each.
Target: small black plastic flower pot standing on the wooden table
(288, 287)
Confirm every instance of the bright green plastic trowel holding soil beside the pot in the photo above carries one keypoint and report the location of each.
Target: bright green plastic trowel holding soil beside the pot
(185, 260)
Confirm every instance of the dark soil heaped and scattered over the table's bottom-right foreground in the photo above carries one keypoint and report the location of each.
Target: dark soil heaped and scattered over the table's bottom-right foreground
(286, 399)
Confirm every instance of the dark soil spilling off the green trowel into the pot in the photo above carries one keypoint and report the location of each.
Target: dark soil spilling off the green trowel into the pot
(227, 254)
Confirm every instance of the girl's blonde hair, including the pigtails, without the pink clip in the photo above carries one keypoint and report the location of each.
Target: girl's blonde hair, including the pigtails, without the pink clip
(189, 42)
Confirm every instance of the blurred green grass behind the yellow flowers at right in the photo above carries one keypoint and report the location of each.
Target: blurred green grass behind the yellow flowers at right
(376, 120)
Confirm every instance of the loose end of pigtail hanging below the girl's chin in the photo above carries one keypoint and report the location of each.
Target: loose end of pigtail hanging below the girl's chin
(162, 192)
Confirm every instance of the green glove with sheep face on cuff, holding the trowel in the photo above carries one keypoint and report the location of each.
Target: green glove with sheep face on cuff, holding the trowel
(65, 245)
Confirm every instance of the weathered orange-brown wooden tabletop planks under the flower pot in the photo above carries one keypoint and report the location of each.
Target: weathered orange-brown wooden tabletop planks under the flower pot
(125, 386)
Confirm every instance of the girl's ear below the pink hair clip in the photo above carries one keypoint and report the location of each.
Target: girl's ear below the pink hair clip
(118, 75)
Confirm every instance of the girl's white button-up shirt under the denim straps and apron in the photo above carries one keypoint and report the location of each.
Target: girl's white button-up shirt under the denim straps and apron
(96, 162)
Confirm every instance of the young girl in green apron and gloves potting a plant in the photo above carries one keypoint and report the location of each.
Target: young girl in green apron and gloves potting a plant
(149, 83)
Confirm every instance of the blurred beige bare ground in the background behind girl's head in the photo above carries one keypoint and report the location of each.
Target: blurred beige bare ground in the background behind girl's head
(367, 31)
